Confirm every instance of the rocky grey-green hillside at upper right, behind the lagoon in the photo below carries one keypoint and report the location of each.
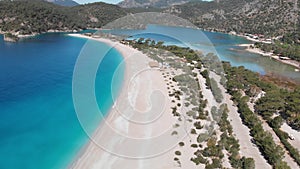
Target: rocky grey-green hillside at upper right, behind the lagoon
(272, 17)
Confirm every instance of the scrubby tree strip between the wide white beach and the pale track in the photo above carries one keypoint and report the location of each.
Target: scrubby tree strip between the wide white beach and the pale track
(211, 155)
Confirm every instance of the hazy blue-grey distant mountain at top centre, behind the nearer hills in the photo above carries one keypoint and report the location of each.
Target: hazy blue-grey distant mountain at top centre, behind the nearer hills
(150, 3)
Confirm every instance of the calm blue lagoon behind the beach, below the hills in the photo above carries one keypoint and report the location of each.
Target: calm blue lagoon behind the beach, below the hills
(224, 45)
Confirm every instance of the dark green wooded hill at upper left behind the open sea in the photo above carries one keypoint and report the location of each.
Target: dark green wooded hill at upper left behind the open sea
(35, 16)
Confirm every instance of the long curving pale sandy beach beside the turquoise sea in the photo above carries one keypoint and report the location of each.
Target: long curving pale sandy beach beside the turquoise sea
(136, 127)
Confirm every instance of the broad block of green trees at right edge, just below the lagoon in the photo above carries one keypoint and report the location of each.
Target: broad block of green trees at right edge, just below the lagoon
(276, 100)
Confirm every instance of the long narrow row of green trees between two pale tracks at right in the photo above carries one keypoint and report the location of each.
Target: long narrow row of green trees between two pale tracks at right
(272, 153)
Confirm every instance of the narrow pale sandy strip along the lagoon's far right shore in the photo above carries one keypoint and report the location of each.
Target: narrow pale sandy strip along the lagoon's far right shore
(270, 54)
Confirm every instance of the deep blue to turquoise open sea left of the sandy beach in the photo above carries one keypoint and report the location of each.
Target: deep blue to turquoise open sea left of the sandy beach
(38, 124)
